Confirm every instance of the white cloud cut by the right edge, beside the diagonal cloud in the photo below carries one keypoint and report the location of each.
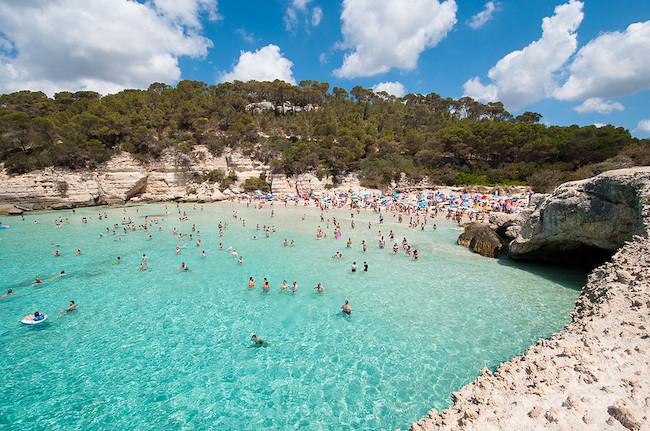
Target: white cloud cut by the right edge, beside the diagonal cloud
(611, 65)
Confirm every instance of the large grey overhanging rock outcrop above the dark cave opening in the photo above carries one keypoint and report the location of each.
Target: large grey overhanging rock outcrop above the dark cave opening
(595, 215)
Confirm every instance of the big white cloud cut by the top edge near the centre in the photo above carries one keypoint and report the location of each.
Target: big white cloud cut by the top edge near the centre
(385, 34)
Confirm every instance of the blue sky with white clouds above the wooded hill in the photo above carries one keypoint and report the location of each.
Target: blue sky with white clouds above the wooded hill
(574, 62)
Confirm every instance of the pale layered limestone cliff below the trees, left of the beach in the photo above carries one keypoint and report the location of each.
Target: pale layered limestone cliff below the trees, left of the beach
(174, 176)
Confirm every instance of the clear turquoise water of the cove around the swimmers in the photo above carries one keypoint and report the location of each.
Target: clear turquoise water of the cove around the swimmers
(163, 349)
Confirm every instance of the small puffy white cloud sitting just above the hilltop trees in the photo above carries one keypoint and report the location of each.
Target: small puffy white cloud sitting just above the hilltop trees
(265, 64)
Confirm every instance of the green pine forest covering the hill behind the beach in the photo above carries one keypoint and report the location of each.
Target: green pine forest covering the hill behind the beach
(452, 141)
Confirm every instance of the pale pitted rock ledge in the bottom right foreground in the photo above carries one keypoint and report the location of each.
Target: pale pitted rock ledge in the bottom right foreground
(594, 375)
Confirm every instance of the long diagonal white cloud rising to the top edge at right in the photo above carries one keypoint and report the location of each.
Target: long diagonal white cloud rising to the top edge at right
(529, 75)
